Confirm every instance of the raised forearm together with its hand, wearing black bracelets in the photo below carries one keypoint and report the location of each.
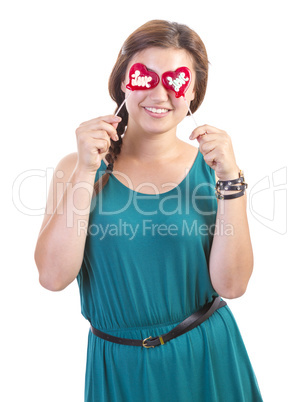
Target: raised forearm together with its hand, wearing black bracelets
(231, 257)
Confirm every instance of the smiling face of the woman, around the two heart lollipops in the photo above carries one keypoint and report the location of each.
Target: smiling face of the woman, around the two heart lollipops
(158, 110)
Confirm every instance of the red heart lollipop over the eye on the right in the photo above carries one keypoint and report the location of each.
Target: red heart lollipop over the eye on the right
(178, 81)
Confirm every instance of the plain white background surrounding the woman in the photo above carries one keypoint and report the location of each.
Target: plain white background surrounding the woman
(56, 59)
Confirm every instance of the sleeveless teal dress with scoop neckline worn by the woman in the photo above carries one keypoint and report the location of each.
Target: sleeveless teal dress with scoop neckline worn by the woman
(145, 270)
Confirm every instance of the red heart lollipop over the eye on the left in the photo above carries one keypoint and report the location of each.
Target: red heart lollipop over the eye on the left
(141, 78)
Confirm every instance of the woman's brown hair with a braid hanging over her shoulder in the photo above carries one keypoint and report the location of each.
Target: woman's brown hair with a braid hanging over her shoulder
(155, 33)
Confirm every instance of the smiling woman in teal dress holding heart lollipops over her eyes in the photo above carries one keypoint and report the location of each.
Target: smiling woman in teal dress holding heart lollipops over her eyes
(133, 215)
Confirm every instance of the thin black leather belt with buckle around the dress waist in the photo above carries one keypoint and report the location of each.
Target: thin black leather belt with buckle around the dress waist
(188, 324)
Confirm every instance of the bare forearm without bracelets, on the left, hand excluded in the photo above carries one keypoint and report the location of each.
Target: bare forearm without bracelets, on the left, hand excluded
(60, 246)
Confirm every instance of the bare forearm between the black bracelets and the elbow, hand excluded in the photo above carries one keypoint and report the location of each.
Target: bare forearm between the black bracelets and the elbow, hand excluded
(231, 258)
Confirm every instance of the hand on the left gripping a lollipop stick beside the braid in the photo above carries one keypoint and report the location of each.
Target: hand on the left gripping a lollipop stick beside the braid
(93, 141)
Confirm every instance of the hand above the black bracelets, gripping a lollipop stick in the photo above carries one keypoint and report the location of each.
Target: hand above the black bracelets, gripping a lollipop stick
(217, 150)
